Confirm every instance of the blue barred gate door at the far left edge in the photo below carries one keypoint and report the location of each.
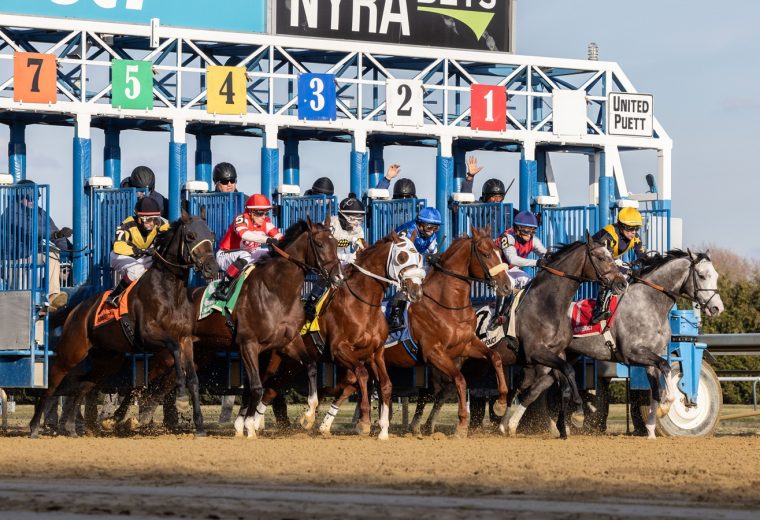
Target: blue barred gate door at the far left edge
(24, 250)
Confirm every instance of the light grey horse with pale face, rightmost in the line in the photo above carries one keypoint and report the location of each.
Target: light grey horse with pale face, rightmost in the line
(641, 327)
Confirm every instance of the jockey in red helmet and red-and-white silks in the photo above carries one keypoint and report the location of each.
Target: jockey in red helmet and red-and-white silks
(245, 240)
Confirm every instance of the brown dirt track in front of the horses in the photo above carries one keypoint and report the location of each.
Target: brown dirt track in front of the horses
(301, 476)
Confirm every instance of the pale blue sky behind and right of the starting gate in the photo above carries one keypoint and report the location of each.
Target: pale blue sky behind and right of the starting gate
(695, 57)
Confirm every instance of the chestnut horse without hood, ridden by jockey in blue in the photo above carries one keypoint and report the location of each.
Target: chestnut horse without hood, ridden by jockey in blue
(443, 323)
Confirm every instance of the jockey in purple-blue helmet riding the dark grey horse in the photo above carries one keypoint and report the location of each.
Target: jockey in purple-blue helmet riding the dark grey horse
(516, 246)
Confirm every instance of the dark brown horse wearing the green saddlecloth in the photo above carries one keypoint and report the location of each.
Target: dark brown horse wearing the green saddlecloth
(269, 314)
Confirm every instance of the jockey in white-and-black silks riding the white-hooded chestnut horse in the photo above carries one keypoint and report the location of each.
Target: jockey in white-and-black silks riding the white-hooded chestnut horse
(349, 232)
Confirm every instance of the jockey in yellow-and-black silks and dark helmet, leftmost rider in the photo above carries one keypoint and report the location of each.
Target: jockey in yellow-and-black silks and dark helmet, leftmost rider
(133, 248)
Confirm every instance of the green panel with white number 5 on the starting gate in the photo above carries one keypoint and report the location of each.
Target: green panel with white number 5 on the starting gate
(132, 84)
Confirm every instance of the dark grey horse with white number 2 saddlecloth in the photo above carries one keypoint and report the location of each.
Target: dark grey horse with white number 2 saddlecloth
(543, 324)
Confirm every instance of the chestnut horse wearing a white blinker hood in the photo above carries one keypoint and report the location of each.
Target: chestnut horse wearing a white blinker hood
(354, 328)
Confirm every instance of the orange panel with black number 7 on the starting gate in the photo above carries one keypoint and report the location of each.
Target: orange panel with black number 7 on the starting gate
(34, 77)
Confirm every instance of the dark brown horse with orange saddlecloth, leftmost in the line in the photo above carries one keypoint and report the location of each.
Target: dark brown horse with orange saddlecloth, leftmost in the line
(162, 314)
